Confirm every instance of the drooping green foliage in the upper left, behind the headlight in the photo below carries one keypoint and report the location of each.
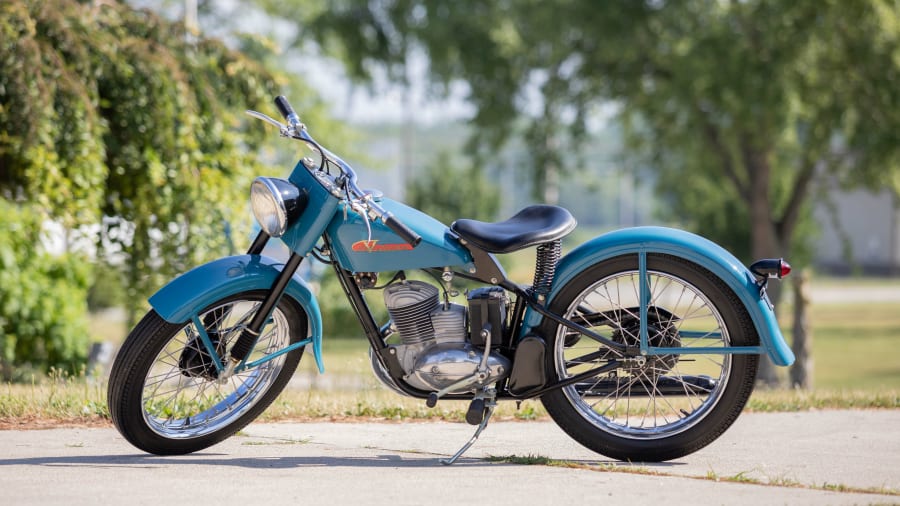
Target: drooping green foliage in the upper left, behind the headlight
(111, 116)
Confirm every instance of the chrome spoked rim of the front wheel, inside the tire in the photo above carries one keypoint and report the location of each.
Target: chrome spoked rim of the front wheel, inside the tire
(177, 406)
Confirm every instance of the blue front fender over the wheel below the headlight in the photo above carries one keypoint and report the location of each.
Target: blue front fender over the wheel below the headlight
(196, 289)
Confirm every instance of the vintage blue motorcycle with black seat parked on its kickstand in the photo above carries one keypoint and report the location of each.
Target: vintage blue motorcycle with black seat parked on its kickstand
(642, 343)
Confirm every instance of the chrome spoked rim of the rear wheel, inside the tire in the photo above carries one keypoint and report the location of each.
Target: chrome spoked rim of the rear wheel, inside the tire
(667, 395)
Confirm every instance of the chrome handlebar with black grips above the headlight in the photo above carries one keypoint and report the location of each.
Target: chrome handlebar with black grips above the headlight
(349, 175)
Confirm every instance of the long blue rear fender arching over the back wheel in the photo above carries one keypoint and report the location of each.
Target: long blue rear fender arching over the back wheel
(684, 245)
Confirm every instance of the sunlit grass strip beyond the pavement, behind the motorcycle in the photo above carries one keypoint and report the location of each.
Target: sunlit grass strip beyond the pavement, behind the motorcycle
(854, 348)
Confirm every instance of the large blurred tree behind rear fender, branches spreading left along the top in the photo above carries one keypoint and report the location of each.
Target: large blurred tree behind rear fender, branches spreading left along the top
(743, 108)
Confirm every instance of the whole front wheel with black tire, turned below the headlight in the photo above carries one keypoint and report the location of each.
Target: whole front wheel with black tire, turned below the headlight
(164, 395)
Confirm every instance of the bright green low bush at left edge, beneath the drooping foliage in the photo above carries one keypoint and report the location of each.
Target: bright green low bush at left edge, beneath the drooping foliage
(43, 298)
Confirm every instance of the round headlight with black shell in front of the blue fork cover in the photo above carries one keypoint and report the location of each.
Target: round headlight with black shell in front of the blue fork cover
(275, 203)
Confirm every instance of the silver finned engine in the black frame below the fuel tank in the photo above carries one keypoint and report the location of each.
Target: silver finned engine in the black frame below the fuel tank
(435, 349)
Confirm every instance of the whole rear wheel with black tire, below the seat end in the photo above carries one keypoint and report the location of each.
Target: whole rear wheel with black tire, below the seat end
(664, 406)
